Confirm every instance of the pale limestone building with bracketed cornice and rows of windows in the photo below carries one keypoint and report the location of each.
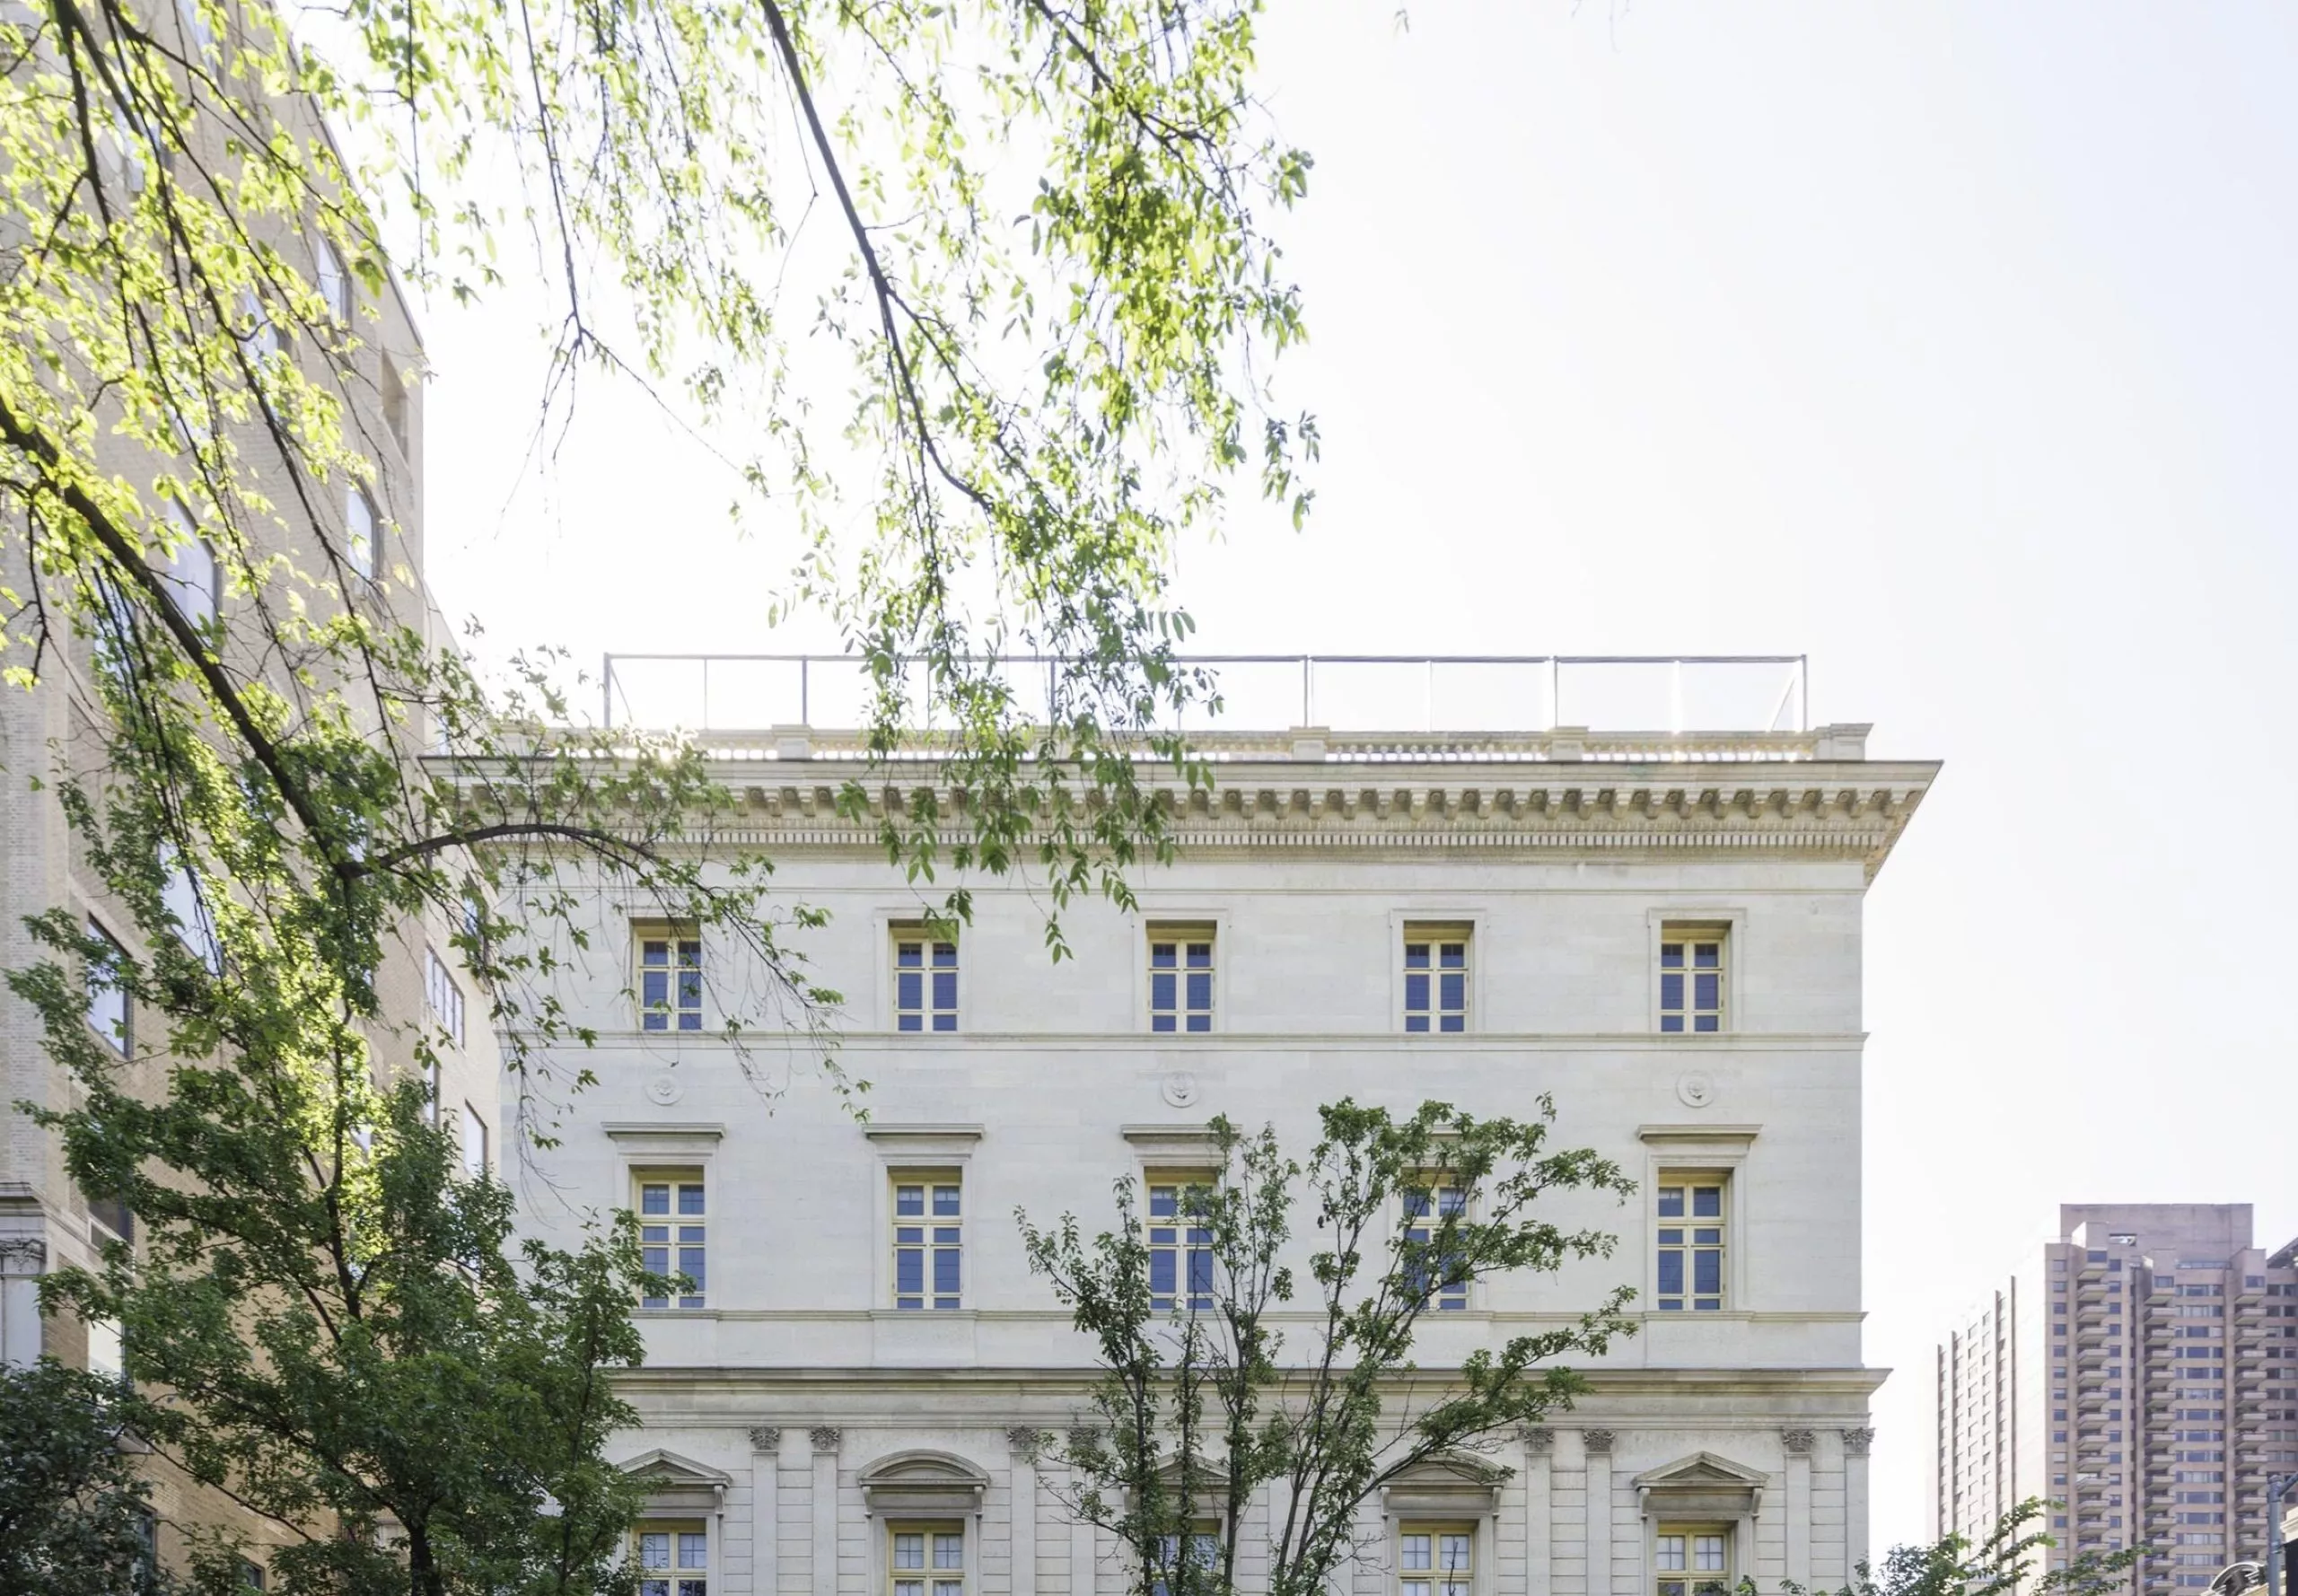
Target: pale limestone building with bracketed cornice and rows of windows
(1660, 931)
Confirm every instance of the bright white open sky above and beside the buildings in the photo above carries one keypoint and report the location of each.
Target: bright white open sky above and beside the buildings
(1950, 346)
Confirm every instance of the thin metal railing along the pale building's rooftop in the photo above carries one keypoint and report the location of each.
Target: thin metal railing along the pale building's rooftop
(1405, 695)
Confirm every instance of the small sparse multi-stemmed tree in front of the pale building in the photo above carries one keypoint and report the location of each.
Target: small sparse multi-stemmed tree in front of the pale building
(1203, 1404)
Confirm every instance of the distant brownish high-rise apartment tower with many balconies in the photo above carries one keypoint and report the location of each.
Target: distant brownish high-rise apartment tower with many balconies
(2141, 1374)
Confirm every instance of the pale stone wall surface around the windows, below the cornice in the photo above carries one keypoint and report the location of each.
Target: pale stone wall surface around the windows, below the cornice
(1056, 1087)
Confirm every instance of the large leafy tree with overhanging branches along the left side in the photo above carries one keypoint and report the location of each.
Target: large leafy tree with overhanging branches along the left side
(980, 304)
